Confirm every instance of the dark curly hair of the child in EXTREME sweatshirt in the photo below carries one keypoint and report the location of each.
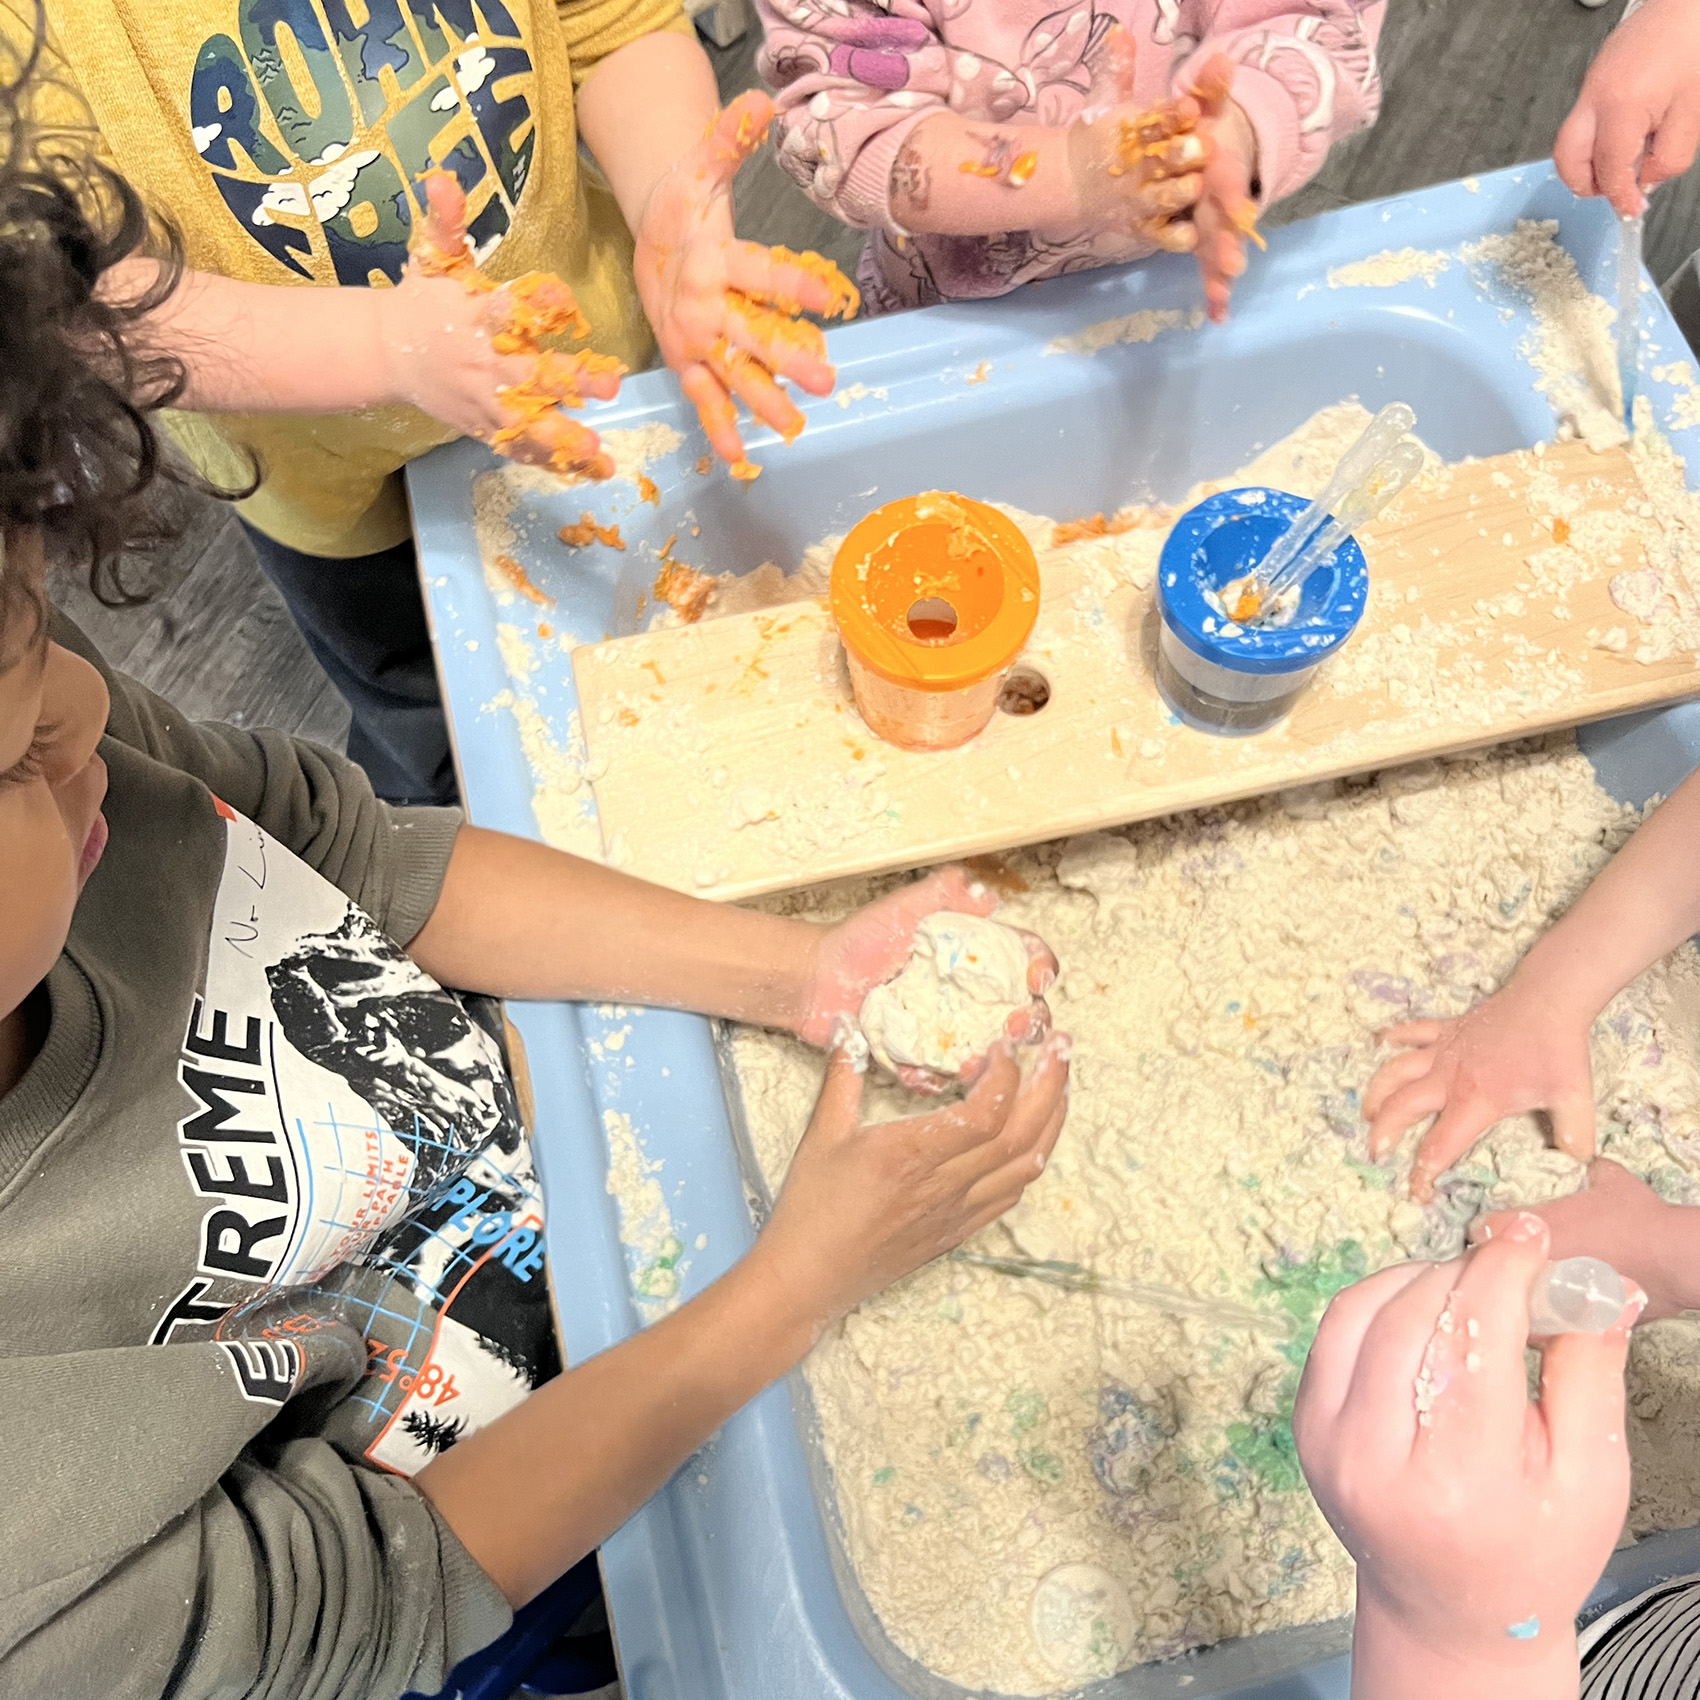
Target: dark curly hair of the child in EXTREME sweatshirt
(79, 453)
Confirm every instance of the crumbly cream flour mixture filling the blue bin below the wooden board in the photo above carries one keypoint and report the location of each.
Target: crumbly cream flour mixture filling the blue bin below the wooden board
(985, 1431)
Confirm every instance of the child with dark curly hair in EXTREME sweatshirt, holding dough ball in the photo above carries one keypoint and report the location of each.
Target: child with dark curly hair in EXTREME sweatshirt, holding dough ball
(278, 1373)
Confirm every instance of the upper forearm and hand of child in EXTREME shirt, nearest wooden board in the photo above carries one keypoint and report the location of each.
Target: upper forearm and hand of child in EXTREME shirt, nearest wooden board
(521, 921)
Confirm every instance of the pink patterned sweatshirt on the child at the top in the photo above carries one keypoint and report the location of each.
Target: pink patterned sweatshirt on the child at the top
(854, 77)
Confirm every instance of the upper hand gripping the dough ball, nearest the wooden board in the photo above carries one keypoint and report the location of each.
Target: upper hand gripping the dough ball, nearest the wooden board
(871, 948)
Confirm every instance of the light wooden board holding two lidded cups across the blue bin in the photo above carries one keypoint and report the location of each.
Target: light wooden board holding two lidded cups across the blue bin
(728, 757)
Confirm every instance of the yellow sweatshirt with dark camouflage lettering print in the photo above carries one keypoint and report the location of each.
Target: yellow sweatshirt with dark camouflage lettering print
(286, 140)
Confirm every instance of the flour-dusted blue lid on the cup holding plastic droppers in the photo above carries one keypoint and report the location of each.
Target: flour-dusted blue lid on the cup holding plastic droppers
(1221, 540)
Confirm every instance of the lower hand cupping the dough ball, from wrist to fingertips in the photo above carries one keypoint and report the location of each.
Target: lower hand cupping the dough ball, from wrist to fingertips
(864, 1206)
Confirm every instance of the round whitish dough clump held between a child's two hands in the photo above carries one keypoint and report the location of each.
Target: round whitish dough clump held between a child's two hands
(966, 977)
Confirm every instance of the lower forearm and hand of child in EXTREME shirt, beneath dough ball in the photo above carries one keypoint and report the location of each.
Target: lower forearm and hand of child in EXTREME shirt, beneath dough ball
(861, 1208)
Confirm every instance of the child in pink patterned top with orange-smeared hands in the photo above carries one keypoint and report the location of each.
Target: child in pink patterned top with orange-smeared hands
(985, 144)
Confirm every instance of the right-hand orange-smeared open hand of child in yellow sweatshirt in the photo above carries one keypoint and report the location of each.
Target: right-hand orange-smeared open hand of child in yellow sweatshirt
(725, 312)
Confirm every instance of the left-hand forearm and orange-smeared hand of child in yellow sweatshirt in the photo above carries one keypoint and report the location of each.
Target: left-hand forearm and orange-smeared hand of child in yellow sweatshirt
(429, 343)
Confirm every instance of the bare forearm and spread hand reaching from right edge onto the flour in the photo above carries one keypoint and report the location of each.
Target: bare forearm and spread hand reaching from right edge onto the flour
(1526, 1048)
